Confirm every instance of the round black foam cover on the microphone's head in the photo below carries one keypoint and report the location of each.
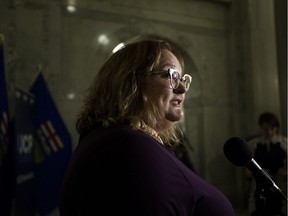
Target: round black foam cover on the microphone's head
(237, 151)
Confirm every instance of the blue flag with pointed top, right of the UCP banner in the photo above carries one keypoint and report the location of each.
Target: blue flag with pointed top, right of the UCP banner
(53, 148)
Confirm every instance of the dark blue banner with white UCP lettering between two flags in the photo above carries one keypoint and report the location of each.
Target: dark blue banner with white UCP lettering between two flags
(24, 130)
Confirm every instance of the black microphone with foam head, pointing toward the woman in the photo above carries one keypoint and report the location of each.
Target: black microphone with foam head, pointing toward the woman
(239, 153)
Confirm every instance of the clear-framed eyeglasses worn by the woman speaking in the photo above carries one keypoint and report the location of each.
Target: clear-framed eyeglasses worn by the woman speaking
(174, 77)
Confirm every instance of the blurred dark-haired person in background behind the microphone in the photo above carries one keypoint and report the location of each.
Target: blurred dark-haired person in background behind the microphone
(270, 152)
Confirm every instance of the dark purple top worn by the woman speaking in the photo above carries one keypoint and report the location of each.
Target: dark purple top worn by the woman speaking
(120, 171)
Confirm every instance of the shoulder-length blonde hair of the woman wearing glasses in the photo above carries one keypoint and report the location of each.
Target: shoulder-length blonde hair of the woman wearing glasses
(116, 93)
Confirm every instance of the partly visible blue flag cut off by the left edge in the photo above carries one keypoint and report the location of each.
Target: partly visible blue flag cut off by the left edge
(5, 183)
